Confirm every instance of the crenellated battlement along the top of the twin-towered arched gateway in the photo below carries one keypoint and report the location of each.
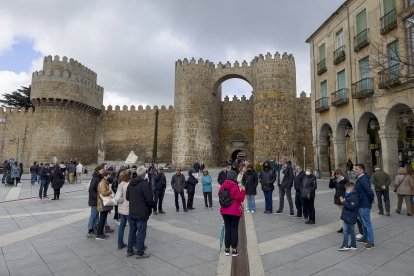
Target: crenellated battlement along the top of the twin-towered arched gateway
(285, 57)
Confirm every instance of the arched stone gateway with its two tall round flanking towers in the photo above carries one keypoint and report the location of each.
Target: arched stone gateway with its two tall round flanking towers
(201, 129)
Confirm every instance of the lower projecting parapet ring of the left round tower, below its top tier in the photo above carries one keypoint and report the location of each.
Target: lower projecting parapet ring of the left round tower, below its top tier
(65, 76)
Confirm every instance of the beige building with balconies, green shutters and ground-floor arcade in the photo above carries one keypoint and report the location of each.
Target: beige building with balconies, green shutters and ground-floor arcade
(362, 85)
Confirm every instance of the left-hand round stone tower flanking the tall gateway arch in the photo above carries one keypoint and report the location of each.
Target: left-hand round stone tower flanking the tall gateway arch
(195, 133)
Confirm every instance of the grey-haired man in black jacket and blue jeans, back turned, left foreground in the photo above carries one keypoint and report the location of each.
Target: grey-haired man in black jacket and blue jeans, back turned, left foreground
(141, 203)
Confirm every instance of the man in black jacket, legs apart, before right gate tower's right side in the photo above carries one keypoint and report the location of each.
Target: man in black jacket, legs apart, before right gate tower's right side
(285, 183)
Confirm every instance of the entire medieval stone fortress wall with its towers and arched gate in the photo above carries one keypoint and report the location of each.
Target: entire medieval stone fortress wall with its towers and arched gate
(70, 122)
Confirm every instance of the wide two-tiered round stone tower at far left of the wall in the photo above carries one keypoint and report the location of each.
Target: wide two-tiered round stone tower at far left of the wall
(68, 104)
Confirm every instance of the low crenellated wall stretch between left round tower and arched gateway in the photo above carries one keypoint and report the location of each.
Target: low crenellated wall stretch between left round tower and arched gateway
(130, 129)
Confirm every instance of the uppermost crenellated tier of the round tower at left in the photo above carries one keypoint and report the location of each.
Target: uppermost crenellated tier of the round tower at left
(71, 65)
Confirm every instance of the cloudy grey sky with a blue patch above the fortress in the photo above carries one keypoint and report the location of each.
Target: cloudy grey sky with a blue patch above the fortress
(133, 44)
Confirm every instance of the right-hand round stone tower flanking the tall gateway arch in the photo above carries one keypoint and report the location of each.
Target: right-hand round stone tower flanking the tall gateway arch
(274, 106)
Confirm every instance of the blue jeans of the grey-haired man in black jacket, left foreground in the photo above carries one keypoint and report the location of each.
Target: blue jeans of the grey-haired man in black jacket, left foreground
(137, 235)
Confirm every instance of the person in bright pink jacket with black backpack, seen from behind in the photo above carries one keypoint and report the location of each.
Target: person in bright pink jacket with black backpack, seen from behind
(231, 198)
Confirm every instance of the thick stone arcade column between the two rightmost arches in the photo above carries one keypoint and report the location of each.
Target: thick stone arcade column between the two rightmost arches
(389, 145)
